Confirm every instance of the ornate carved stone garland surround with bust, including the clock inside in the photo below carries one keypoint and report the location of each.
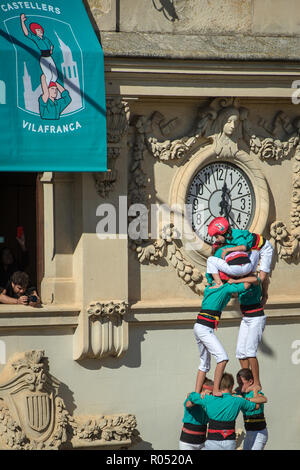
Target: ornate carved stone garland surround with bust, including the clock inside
(218, 162)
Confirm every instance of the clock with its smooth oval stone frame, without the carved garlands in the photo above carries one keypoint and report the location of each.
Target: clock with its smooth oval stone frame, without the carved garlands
(206, 186)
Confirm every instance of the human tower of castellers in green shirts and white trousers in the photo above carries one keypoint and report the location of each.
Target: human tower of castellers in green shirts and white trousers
(211, 410)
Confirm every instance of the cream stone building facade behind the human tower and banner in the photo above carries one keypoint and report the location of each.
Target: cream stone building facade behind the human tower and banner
(115, 330)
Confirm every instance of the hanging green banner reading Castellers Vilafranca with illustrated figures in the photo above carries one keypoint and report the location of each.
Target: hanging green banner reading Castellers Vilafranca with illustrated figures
(52, 93)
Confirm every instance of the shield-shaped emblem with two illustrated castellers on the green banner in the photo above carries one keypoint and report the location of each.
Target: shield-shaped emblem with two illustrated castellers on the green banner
(49, 66)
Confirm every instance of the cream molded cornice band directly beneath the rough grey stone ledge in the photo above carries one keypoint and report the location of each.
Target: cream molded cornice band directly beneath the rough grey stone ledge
(195, 79)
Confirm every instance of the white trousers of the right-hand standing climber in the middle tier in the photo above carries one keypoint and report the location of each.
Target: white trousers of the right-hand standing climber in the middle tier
(250, 334)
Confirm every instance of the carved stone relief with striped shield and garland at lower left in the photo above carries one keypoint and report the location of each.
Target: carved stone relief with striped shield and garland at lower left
(34, 416)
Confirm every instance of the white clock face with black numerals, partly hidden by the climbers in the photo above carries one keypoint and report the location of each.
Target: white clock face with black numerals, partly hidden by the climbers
(220, 190)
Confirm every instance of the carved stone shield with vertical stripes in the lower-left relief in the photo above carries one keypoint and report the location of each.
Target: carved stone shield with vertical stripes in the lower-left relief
(38, 411)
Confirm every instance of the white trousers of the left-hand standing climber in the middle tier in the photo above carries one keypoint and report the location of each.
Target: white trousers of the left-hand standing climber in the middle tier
(208, 344)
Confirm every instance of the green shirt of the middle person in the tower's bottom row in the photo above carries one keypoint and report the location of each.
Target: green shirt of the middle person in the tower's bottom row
(225, 408)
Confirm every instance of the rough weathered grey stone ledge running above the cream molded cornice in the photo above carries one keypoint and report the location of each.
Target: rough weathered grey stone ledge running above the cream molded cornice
(209, 47)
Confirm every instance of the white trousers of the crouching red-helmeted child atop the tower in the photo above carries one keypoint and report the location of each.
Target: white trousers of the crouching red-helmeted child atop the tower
(214, 265)
